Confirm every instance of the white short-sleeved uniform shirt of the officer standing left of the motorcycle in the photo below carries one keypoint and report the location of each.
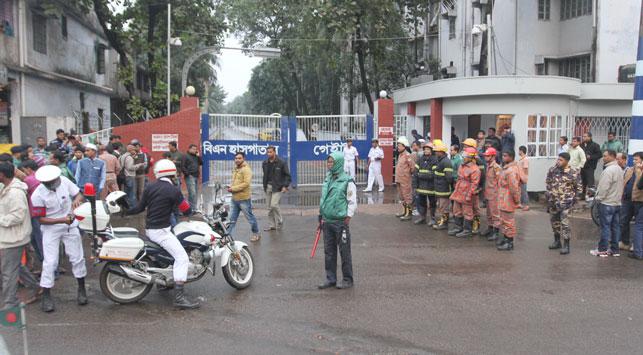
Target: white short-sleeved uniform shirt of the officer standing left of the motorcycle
(56, 204)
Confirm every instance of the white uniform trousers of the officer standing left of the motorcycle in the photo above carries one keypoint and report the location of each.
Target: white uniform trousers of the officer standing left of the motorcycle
(52, 235)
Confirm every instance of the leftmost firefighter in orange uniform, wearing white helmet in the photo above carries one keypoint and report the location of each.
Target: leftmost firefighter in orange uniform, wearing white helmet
(403, 174)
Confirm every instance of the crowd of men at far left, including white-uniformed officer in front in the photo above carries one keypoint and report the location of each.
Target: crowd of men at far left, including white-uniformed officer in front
(35, 212)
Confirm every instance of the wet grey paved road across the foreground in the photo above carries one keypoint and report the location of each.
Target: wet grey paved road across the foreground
(417, 291)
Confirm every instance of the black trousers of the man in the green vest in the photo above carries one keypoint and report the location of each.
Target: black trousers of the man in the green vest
(334, 239)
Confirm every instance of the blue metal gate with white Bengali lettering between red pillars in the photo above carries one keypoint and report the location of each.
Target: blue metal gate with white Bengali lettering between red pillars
(303, 141)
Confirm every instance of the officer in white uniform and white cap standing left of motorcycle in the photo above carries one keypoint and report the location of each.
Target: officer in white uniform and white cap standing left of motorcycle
(53, 202)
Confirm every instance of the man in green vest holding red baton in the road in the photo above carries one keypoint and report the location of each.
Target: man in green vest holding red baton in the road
(338, 204)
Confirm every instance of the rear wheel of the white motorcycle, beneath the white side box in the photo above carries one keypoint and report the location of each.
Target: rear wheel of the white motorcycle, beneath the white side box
(120, 289)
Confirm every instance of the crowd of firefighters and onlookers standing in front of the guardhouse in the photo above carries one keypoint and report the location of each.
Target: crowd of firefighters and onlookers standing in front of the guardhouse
(441, 187)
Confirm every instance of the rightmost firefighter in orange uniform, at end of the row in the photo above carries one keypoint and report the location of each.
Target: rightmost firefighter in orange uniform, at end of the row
(508, 199)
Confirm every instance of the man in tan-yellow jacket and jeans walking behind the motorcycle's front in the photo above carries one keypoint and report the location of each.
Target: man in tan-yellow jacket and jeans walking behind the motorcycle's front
(241, 196)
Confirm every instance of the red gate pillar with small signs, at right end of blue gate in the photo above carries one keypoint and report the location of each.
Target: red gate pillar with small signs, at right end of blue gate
(384, 116)
